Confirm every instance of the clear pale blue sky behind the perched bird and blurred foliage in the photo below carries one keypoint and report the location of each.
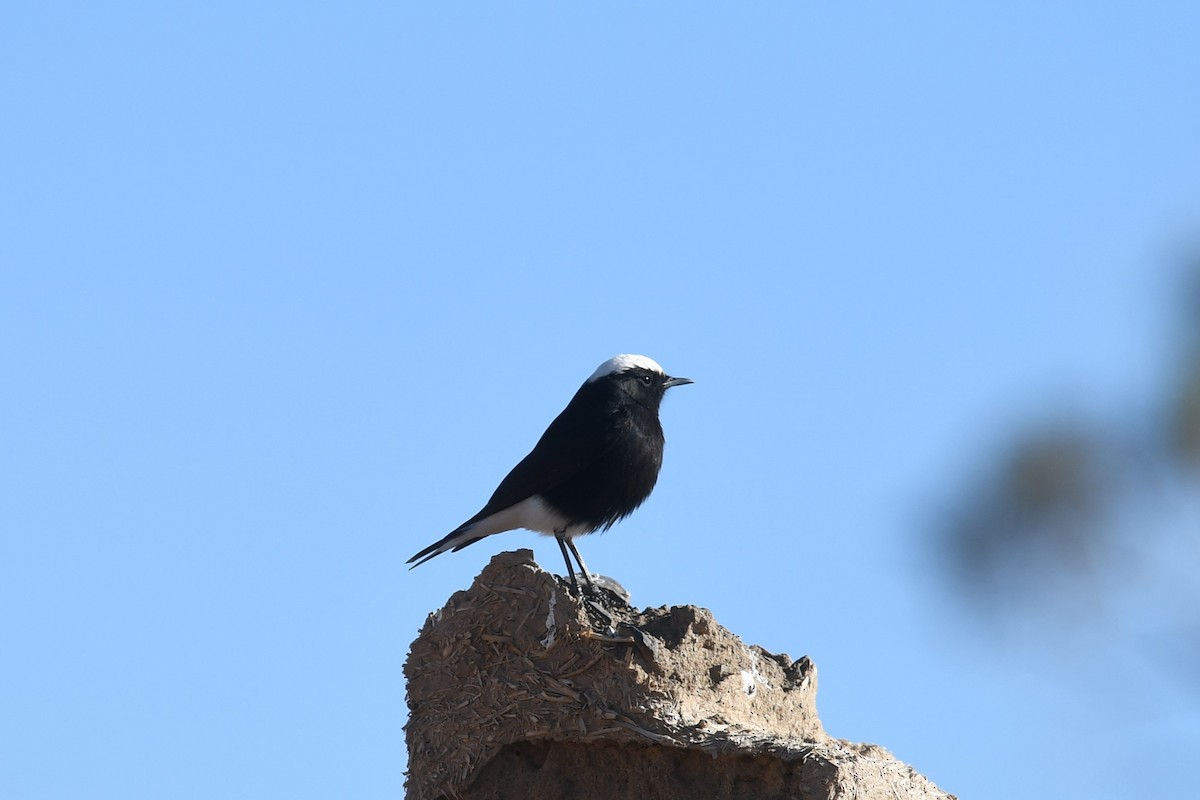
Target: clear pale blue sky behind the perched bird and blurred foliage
(289, 288)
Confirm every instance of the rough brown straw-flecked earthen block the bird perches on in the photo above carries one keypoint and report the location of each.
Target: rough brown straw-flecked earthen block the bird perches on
(518, 689)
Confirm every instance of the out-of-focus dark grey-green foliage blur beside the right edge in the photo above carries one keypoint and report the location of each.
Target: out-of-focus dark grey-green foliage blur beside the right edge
(1077, 515)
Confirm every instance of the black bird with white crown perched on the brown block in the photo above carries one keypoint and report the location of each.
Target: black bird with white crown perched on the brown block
(595, 466)
